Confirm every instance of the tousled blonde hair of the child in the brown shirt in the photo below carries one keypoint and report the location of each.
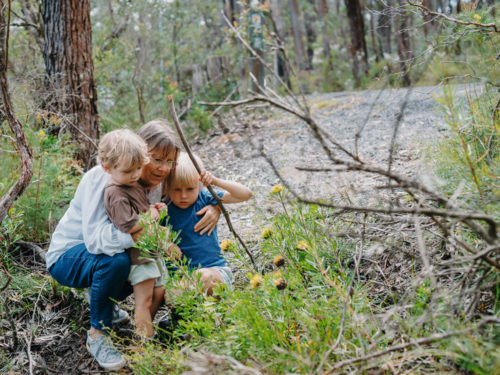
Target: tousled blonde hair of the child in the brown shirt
(122, 149)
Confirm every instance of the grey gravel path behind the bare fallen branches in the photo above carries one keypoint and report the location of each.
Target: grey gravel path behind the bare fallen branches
(290, 143)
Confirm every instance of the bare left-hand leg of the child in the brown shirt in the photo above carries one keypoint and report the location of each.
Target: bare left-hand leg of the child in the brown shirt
(143, 293)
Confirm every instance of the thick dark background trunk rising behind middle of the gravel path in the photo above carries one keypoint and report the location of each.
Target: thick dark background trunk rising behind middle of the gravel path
(358, 42)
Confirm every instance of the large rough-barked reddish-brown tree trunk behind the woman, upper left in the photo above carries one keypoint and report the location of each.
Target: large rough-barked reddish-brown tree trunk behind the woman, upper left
(69, 69)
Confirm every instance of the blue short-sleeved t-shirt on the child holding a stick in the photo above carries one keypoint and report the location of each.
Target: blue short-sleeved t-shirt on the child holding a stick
(200, 251)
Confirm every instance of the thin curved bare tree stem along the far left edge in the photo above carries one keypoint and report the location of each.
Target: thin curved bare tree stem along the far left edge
(17, 129)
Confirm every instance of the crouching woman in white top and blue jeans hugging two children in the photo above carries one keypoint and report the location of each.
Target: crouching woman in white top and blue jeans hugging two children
(87, 250)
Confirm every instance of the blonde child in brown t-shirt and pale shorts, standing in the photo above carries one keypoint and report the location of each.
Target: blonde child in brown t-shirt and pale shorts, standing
(122, 154)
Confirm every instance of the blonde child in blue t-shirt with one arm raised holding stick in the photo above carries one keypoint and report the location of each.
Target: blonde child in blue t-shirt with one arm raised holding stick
(187, 197)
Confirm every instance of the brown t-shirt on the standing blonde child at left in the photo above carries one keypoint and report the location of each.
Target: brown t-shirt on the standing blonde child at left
(123, 204)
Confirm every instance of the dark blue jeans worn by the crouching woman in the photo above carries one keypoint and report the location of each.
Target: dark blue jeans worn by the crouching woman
(105, 275)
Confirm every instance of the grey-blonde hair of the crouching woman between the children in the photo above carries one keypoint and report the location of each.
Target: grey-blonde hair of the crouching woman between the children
(162, 142)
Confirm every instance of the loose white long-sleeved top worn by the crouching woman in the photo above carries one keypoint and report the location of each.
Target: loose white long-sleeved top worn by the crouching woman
(86, 221)
